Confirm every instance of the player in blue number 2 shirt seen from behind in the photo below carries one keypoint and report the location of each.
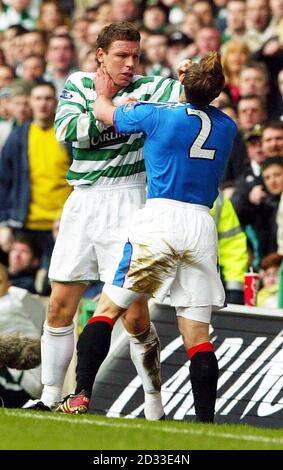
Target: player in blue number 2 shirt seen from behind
(172, 244)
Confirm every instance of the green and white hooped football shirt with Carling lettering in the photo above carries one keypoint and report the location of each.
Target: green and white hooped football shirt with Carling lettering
(102, 156)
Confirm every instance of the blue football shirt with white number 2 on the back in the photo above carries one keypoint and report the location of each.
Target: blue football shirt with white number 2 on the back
(186, 149)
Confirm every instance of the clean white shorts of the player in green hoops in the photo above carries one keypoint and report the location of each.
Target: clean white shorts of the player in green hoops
(93, 230)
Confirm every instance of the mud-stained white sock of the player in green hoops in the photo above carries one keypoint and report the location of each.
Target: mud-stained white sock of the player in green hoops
(145, 354)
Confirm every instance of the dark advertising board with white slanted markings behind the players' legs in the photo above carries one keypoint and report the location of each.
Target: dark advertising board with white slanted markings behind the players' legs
(248, 343)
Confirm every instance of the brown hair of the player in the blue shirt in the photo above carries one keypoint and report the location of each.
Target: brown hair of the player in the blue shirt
(204, 81)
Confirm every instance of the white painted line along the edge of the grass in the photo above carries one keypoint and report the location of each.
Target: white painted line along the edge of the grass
(130, 425)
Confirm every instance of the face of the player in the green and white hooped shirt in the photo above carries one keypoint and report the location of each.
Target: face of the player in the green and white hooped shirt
(120, 61)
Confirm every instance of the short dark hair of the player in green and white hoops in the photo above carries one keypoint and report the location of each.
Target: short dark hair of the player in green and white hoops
(120, 31)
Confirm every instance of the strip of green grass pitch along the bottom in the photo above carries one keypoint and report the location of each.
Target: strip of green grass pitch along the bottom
(21, 429)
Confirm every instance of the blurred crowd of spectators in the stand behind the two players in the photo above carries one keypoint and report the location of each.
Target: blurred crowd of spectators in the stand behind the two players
(43, 41)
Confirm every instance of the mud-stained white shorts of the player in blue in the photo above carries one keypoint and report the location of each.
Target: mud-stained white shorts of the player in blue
(172, 247)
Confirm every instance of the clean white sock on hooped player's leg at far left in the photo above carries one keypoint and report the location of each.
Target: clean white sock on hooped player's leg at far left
(57, 347)
